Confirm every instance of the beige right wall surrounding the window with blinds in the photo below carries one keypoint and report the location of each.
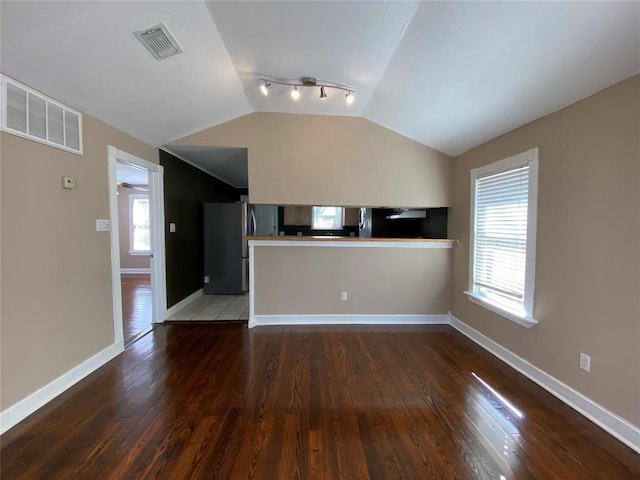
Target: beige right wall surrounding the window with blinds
(588, 246)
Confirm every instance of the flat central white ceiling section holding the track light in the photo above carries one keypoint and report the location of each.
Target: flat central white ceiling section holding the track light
(345, 42)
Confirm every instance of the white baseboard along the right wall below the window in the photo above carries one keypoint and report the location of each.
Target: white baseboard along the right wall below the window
(623, 430)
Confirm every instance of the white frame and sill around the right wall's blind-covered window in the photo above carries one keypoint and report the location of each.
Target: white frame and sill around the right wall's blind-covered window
(529, 158)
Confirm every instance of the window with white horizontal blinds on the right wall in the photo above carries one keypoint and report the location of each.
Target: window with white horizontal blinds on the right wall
(504, 197)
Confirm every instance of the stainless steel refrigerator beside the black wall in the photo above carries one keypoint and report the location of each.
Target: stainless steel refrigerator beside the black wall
(226, 254)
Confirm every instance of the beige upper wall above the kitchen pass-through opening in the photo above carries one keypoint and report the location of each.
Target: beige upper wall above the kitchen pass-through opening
(321, 160)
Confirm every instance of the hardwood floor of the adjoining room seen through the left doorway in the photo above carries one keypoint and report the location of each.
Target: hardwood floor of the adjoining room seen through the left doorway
(136, 305)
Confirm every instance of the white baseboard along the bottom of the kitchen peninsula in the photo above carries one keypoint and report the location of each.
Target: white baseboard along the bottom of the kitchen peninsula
(259, 320)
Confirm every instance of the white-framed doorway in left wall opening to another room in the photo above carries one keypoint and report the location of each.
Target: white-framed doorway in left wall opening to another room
(137, 245)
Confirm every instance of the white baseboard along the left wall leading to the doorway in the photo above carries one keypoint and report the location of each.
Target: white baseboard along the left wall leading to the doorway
(25, 407)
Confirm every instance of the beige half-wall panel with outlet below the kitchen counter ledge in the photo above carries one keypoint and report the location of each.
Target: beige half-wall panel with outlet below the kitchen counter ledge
(309, 280)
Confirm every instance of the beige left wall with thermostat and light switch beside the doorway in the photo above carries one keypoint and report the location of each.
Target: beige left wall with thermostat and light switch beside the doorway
(56, 271)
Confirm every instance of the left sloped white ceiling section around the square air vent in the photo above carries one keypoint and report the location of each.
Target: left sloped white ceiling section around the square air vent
(84, 54)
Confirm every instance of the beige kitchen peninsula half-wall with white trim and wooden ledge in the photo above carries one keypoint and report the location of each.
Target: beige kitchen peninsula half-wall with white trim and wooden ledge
(348, 280)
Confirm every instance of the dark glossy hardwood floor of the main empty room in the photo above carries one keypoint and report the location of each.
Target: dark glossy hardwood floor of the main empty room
(220, 401)
